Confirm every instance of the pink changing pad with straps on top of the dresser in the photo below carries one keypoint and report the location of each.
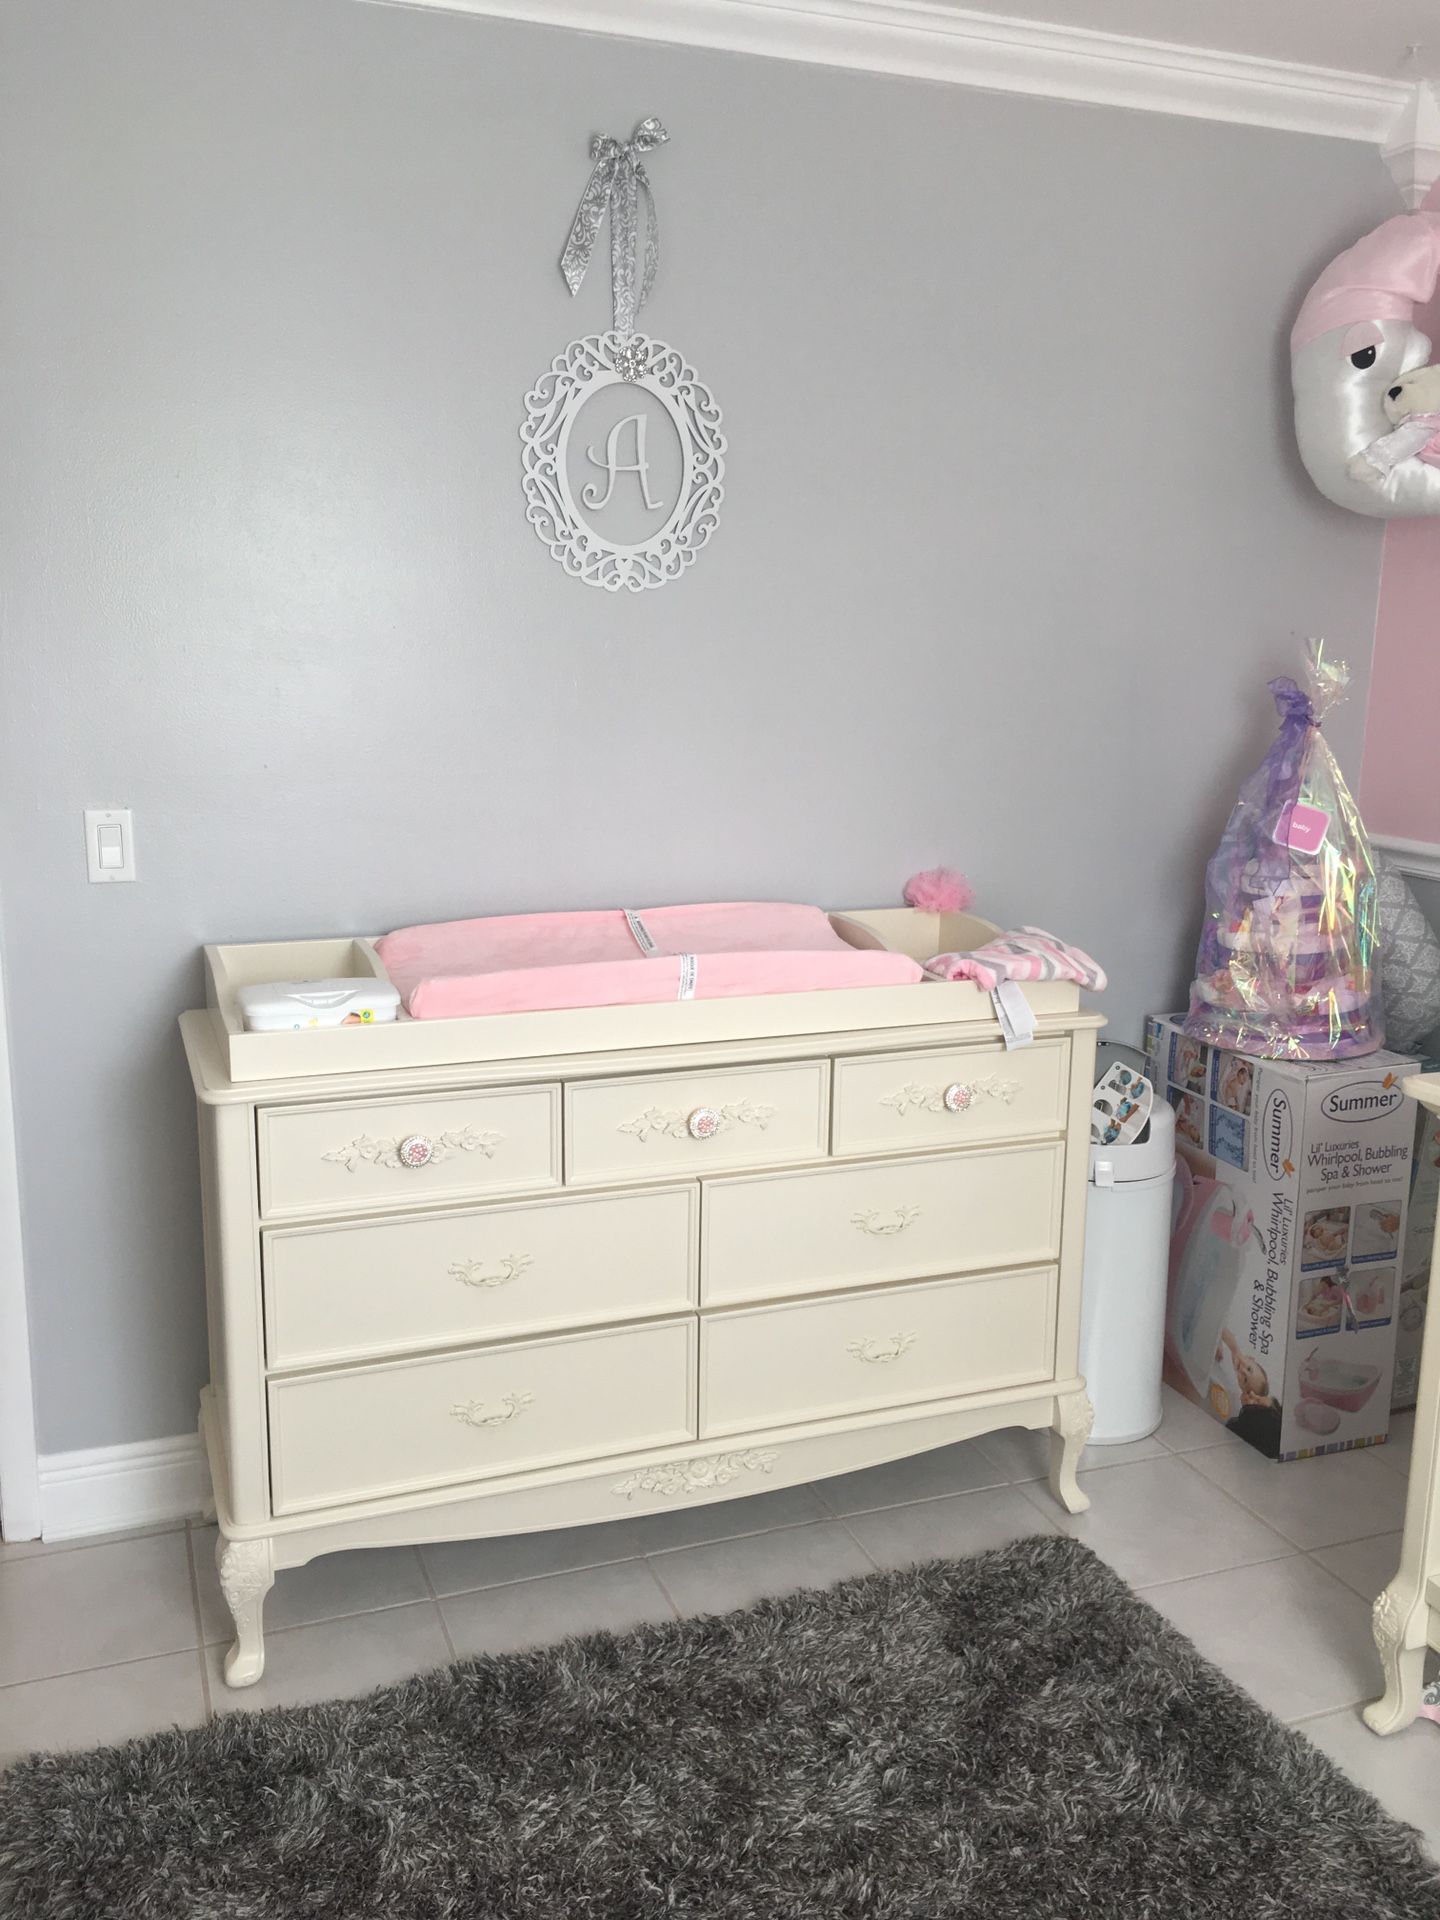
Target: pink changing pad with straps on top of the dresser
(542, 963)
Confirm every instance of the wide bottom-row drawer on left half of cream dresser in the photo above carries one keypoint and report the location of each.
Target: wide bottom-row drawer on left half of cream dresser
(373, 1431)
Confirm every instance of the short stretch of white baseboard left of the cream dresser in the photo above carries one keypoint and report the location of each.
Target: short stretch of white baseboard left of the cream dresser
(107, 1489)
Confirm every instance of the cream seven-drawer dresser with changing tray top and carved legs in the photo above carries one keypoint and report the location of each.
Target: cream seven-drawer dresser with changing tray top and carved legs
(475, 1278)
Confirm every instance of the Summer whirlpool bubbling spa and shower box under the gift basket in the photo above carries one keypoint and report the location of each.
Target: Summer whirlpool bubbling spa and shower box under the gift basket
(1287, 1234)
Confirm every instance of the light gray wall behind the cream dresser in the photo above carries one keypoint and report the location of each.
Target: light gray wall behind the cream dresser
(1013, 539)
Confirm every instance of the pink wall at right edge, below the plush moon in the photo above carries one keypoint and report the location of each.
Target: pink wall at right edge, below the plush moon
(1401, 773)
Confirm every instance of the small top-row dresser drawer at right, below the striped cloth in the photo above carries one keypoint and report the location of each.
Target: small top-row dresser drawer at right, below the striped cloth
(949, 1097)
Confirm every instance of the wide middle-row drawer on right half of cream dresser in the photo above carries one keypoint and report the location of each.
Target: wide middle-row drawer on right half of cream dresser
(890, 1220)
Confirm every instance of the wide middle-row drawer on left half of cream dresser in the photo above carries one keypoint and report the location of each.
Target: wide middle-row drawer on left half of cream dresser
(444, 1280)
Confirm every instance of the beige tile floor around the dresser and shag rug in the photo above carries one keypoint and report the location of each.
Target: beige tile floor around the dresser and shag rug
(1268, 1570)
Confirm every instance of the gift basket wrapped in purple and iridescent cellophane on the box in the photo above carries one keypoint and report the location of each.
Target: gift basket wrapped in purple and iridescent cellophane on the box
(1287, 963)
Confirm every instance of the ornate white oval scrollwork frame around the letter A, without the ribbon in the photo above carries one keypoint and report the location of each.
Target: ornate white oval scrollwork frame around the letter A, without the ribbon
(552, 406)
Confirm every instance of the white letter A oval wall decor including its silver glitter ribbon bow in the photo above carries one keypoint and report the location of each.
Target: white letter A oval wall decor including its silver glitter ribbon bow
(623, 446)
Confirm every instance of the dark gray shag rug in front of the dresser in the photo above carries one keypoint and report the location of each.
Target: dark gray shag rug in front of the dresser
(1003, 1737)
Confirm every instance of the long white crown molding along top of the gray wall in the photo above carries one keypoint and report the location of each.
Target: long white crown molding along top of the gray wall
(928, 41)
